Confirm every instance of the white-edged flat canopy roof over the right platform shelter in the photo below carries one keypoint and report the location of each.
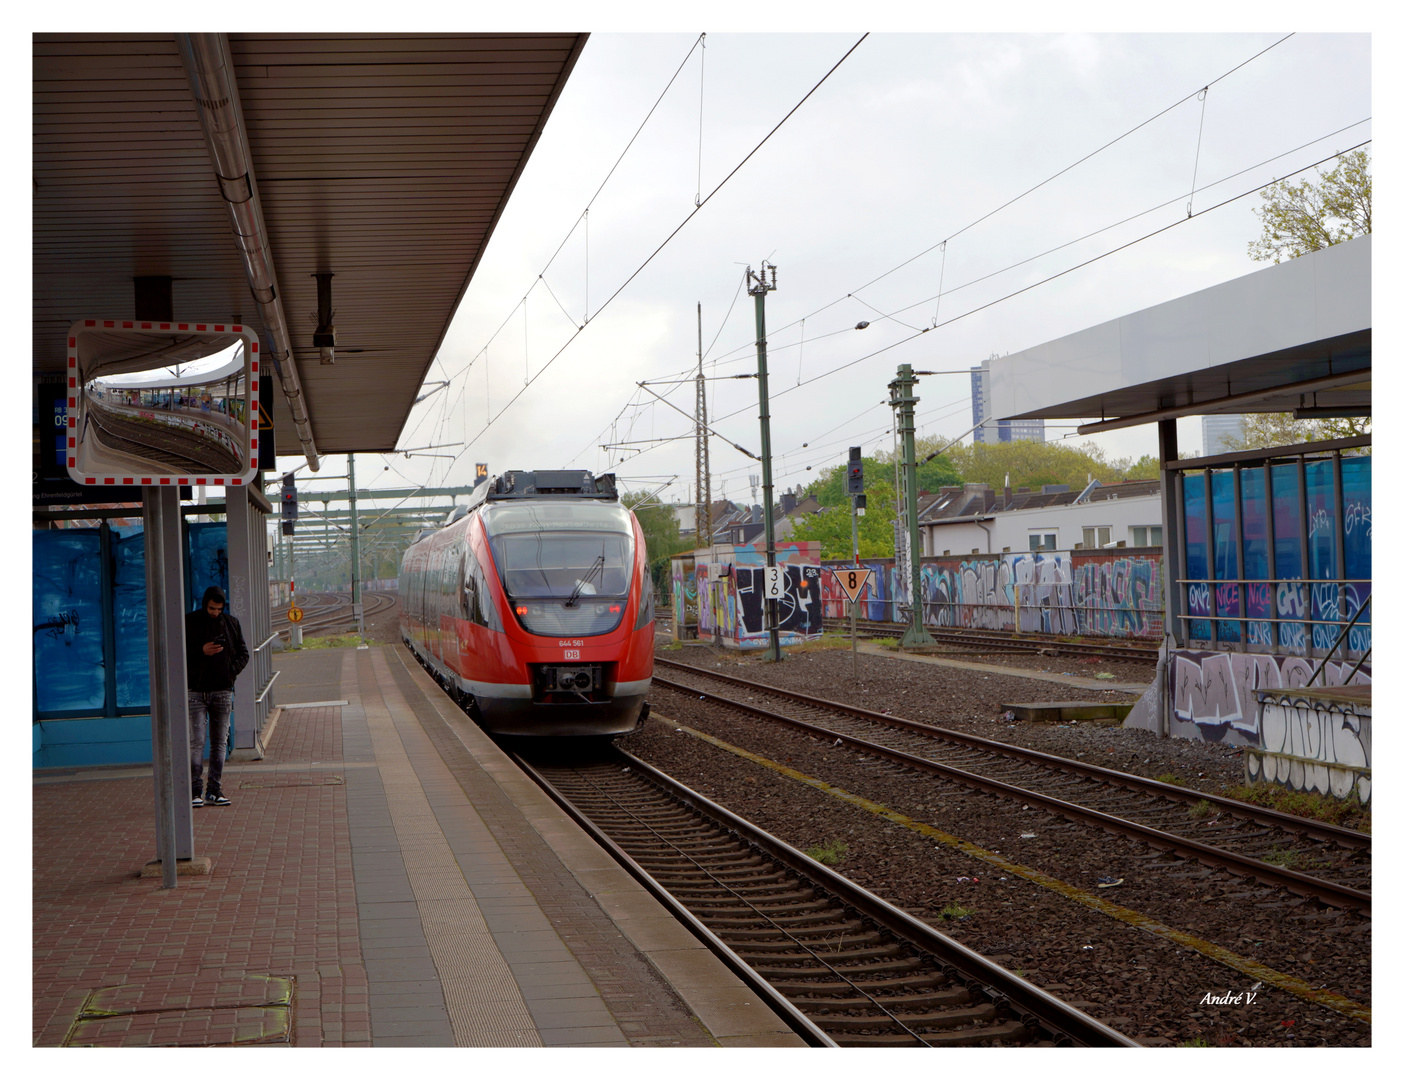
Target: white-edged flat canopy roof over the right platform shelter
(1292, 338)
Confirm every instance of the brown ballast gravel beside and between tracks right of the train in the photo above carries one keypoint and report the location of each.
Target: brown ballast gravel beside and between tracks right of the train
(1145, 987)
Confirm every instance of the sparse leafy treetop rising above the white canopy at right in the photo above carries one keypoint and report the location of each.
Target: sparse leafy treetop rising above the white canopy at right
(1308, 217)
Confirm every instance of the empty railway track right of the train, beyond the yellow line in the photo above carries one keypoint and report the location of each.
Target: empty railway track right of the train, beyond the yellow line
(1217, 832)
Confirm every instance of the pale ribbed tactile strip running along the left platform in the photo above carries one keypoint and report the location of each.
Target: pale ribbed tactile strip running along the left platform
(484, 1003)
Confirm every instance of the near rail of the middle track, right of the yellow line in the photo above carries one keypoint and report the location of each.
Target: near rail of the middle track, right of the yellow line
(1208, 855)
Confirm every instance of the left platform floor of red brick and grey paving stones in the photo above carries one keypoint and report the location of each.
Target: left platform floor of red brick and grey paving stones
(384, 877)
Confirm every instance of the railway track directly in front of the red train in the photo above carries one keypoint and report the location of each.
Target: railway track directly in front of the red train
(849, 968)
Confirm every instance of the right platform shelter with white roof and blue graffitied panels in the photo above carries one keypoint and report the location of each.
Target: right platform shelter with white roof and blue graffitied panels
(1267, 568)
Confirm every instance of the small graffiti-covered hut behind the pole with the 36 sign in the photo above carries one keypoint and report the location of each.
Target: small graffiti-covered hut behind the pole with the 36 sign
(718, 595)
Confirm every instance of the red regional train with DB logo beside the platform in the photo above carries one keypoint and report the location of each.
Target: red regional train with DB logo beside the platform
(533, 606)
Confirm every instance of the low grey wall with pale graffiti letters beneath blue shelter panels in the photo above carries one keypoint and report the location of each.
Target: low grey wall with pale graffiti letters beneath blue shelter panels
(1214, 694)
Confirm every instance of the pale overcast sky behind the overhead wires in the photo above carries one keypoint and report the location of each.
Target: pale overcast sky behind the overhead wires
(913, 140)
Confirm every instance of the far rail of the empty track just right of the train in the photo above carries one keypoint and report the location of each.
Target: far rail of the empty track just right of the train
(1318, 831)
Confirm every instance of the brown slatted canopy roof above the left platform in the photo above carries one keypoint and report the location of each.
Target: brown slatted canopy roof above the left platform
(385, 161)
